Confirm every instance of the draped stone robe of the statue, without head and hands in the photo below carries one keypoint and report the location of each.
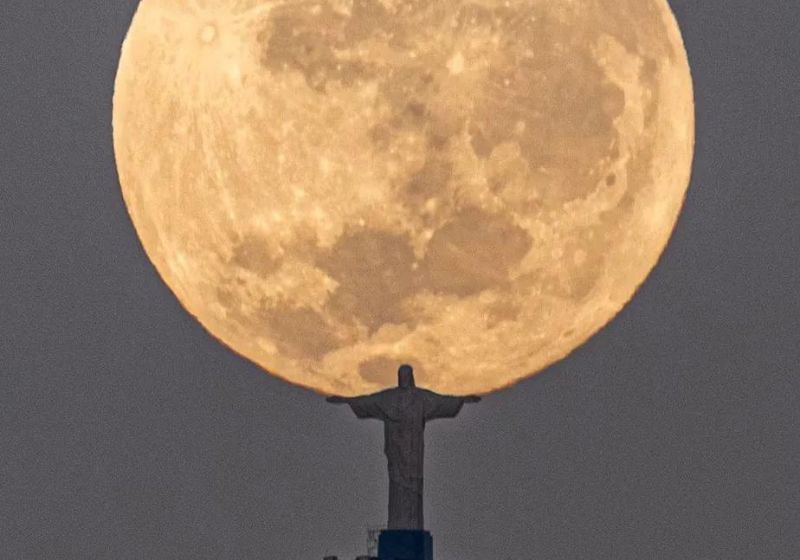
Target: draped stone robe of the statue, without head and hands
(404, 412)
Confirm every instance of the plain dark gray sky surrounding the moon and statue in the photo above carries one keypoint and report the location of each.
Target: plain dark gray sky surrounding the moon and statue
(127, 432)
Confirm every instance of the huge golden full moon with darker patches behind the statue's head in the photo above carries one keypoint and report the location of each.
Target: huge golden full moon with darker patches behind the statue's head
(335, 187)
